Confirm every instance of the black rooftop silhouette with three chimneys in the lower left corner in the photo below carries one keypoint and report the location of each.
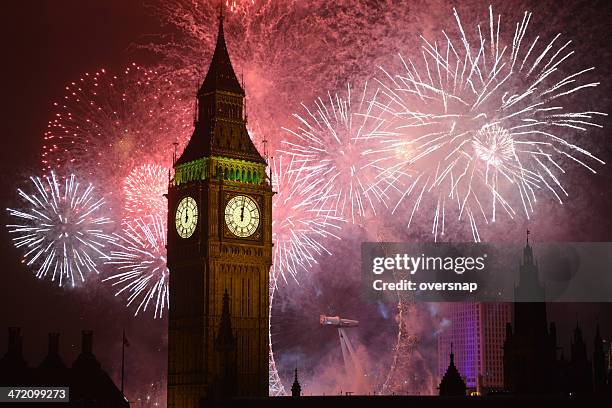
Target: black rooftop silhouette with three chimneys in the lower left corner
(89, 384)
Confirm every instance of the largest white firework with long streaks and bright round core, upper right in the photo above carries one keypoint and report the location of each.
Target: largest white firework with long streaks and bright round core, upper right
(485, 124)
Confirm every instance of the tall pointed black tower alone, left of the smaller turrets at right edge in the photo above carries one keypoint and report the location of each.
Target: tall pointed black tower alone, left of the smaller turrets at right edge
(530, 349)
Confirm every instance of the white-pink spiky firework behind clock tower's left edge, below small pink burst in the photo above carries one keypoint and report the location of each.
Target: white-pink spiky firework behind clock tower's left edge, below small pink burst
(139, 258)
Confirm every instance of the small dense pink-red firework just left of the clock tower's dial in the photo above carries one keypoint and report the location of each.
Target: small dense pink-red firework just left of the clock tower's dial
(144, 189)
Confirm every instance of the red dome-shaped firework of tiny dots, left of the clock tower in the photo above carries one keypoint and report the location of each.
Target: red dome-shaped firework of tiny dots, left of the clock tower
(106, 122)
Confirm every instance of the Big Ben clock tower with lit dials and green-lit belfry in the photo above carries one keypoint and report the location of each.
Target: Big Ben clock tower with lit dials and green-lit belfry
(219, 250)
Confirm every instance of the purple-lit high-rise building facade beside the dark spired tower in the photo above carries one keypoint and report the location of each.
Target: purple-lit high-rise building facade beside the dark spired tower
(477, 331)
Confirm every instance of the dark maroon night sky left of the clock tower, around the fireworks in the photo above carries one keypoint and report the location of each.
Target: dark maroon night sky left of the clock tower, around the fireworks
(49, 43)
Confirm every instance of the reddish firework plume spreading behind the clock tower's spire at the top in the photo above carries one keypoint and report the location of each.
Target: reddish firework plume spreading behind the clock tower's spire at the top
(279, 45)
